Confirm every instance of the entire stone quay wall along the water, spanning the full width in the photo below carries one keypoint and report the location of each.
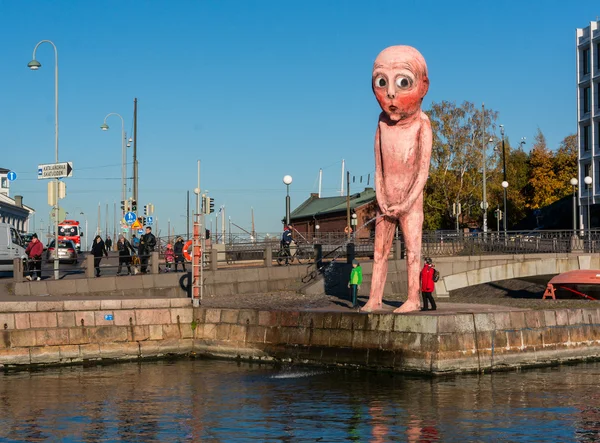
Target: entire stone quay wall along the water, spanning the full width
(74, 331)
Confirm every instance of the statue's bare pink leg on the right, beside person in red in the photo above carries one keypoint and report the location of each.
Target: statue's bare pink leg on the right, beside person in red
(412, 230)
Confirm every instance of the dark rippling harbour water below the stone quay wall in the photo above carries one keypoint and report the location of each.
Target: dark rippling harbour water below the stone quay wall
(213, 401)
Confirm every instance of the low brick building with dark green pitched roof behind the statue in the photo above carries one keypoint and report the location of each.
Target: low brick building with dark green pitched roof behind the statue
(329, 215)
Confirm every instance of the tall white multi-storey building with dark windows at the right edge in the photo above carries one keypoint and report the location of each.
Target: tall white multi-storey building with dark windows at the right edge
(588, 121)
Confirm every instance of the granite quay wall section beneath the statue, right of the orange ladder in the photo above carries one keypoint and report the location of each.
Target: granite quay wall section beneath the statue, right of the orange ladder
(403, 343)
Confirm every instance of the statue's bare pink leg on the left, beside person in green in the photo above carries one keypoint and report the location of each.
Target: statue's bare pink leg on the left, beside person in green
(384, 236)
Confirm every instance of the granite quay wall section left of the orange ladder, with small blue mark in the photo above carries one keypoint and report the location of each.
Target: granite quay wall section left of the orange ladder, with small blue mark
(79, 331)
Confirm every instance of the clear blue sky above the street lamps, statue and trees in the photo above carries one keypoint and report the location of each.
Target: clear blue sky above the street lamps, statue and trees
(257, 90)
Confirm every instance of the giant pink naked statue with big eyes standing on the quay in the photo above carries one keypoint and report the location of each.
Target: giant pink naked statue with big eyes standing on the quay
(402, 153)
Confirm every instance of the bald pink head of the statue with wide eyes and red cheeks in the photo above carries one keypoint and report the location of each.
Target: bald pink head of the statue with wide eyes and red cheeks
(400, 81)
